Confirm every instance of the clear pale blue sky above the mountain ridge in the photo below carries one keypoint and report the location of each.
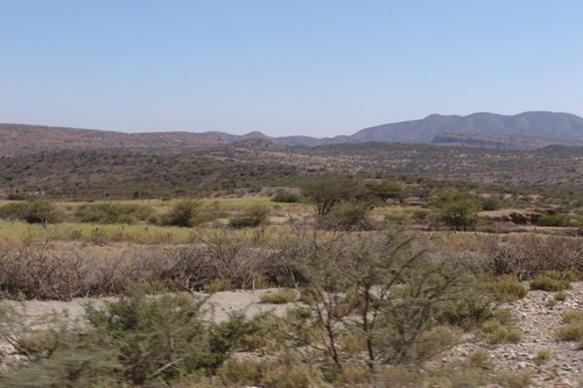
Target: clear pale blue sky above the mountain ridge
(314, 67)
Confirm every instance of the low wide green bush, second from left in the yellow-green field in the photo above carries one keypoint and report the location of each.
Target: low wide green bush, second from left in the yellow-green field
(112, 213)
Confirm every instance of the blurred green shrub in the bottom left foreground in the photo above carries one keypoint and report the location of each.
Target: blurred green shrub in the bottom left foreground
(136, 341)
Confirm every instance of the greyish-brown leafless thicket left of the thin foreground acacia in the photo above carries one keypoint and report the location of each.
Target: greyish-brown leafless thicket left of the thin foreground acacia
(41, 274)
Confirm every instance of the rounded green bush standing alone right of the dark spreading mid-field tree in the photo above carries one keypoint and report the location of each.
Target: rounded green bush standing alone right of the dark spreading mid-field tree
(458, 210)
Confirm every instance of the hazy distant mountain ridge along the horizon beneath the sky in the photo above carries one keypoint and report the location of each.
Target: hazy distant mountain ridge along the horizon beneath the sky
(527, 130)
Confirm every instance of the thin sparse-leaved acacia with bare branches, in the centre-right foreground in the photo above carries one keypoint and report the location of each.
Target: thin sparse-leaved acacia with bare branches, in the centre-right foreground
(384, 293)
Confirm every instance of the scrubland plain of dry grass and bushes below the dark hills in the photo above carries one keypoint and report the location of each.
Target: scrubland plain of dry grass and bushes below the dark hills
(381, 279)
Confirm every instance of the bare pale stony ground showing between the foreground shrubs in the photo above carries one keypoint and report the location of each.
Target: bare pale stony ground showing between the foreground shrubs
(537, 317)
